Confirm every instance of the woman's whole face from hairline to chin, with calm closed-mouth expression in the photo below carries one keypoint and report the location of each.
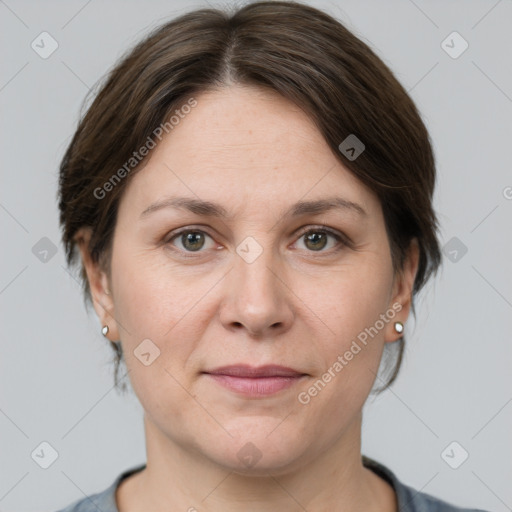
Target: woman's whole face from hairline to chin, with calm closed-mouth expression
(249, 280)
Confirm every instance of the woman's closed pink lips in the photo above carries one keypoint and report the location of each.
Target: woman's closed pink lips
(255, 382)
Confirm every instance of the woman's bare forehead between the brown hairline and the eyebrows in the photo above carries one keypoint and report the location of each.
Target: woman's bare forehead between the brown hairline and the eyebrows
(240, 144)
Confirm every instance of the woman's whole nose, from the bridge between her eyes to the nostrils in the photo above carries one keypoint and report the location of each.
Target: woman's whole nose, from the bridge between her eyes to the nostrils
(256, 298)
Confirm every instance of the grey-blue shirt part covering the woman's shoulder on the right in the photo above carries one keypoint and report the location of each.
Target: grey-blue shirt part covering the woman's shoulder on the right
(409, 499)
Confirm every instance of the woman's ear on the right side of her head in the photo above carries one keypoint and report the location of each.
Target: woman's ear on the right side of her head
(402, 291)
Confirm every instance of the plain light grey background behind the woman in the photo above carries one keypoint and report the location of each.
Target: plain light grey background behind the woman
(455, 385)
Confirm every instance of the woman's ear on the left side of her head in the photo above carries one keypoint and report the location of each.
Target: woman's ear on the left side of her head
(102, 297)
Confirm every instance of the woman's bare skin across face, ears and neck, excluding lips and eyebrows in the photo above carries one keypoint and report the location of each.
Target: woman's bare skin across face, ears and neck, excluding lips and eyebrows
(255, 154)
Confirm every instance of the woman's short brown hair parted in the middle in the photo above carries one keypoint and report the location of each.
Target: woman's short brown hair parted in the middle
(301, 53)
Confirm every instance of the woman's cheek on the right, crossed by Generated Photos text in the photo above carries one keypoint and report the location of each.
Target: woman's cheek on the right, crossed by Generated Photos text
(351, 306)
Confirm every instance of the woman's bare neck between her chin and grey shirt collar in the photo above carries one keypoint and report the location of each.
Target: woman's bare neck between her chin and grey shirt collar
(180, 479)
